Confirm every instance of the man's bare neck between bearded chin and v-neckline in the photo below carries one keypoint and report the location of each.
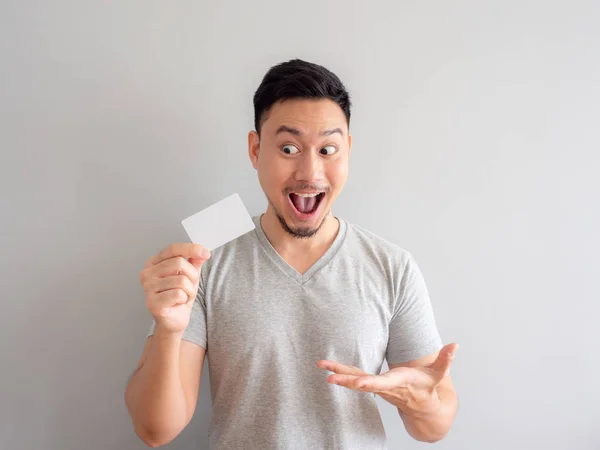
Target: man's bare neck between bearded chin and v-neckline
(284, 243)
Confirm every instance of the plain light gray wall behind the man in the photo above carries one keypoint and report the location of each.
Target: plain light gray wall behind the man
(475, 147)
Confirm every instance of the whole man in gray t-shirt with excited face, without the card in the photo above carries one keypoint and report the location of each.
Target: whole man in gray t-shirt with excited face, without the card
(297, 316)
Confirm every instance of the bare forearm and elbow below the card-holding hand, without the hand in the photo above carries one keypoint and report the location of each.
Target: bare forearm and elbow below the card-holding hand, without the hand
(161, 395)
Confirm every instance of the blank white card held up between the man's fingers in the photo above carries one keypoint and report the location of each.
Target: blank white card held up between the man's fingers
(220, 223)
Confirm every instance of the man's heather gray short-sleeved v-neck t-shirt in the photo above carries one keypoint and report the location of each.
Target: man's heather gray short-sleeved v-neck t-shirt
(265, 326)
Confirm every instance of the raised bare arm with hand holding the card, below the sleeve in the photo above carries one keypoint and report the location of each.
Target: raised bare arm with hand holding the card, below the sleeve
(161, 395)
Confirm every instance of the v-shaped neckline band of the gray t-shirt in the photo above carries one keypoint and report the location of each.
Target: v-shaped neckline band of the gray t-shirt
(289, 270)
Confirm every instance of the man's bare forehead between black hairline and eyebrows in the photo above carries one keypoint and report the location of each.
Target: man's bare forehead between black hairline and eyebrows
(308, 115)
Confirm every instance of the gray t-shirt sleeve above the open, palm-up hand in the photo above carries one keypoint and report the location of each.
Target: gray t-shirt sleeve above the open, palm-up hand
(412, 330)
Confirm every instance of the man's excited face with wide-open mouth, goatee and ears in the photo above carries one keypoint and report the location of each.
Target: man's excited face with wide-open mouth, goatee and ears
(302, 161)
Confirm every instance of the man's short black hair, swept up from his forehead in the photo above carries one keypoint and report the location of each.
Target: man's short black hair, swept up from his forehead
(298, 79)
